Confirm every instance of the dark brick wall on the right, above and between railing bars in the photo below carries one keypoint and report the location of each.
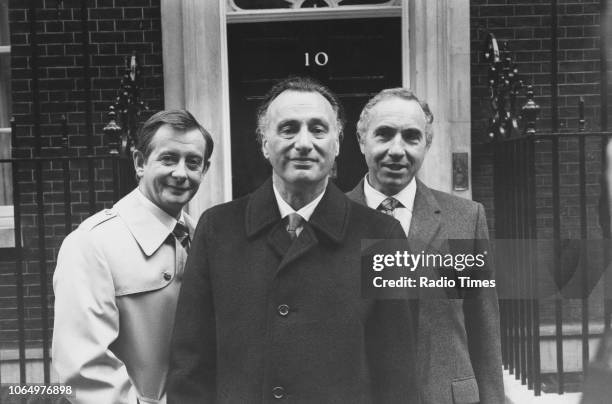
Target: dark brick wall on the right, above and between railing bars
(526, 27)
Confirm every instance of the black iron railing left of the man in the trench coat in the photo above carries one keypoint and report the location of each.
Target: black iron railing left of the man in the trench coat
(34, 224)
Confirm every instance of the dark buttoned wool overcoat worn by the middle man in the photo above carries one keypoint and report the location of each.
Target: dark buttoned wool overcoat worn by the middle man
(261, 319)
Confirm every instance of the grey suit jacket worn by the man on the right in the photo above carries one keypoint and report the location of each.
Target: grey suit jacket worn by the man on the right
(458, 343)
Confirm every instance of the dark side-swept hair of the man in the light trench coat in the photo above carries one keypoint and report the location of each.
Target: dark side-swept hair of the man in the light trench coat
(178, 119)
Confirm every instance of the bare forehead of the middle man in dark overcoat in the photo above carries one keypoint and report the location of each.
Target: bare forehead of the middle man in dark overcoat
(300, 104)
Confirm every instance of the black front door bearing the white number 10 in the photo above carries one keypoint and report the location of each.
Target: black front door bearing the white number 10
(356, 58)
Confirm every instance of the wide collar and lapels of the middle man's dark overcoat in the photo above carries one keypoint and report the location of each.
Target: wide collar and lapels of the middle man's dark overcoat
(327, 224)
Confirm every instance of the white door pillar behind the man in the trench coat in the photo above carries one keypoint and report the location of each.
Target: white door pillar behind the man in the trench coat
(194, 35)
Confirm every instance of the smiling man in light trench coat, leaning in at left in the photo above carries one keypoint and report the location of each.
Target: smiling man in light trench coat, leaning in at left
(118, 274)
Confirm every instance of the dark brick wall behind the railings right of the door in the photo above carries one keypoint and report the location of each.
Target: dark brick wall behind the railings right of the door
(526, 27)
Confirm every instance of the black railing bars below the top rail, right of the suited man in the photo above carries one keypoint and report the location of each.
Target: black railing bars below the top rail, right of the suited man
(525, 212)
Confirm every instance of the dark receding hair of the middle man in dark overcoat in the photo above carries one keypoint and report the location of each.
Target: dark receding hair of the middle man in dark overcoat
(301, 84)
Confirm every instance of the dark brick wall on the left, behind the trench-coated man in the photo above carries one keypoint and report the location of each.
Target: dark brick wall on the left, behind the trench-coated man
(114, 29)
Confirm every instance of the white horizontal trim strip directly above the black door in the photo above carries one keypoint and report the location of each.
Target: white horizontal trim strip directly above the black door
(313, 14)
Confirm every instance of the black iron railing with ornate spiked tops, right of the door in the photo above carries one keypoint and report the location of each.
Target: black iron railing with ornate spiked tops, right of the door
(547, 191)
